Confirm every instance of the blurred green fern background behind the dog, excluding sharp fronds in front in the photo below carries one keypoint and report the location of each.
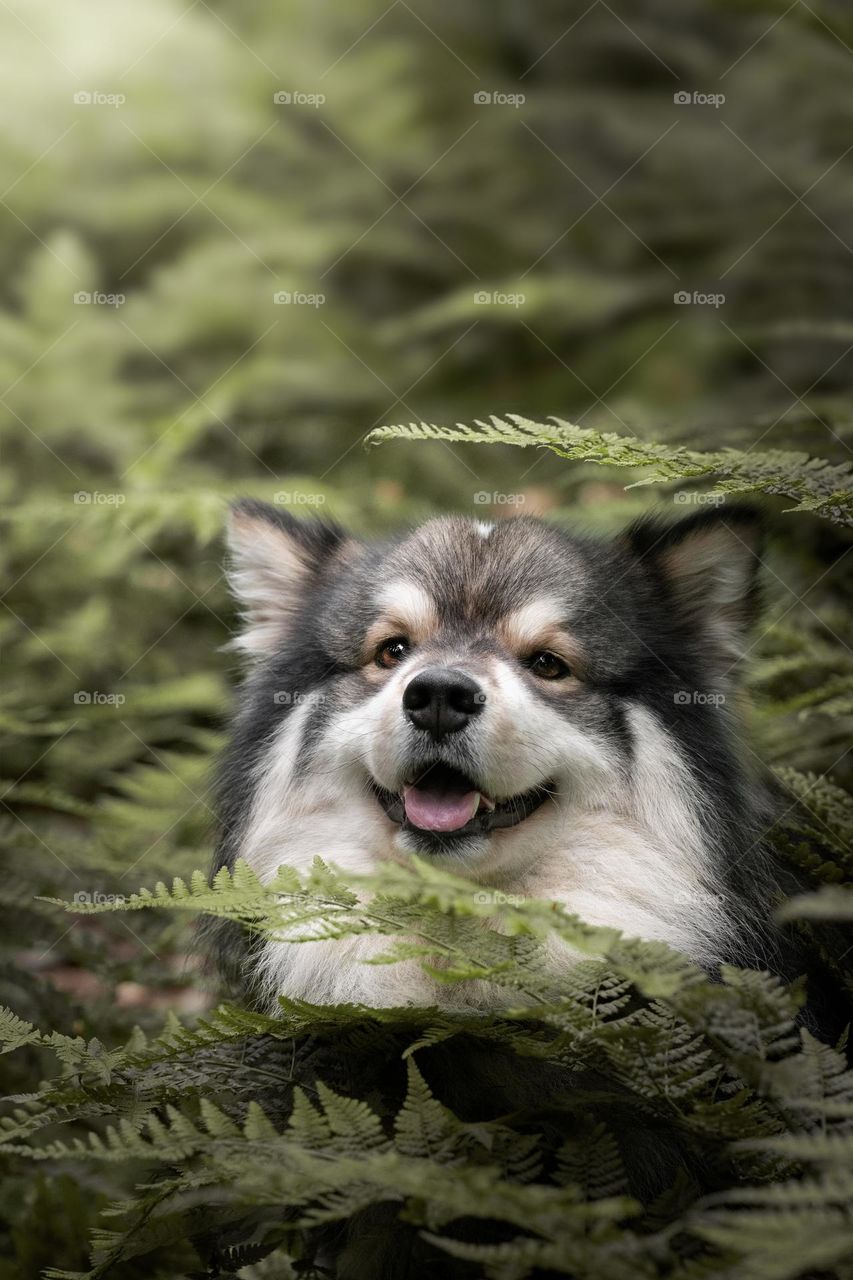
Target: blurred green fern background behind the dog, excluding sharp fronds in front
(238, 237)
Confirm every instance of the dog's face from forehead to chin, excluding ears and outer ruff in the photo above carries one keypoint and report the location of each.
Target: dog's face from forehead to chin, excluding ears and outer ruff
(467, 684)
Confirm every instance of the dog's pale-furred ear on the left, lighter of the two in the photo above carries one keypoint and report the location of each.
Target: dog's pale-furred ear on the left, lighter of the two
(273, 559)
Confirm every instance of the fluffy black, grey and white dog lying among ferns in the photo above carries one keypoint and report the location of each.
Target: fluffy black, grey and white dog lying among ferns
(549, 715)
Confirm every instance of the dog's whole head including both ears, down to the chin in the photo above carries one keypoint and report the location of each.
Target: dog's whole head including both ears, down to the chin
(467, 691)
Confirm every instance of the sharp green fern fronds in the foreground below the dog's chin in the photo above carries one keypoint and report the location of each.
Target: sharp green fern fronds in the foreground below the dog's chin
(232, 1123)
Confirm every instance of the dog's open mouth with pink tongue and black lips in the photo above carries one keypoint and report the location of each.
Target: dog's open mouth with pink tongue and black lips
(445, 802)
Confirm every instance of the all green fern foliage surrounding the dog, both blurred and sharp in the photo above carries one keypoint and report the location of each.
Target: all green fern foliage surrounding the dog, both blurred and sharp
(526, 258)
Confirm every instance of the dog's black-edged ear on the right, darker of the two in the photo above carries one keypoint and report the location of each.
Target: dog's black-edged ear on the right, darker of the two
(710, 565)
